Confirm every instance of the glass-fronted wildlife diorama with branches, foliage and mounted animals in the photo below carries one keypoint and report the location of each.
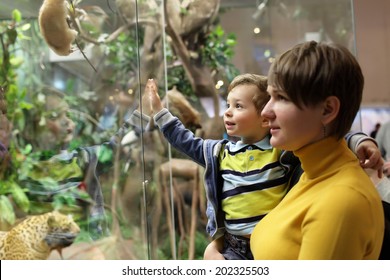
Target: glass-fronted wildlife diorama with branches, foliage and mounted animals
(99, 183)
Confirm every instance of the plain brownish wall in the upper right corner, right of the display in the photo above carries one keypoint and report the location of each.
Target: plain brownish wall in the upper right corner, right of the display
(372, 25)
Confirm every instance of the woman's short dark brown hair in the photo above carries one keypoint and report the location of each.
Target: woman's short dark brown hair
(310, 72)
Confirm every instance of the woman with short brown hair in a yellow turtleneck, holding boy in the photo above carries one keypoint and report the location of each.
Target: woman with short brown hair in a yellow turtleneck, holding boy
(334, 211)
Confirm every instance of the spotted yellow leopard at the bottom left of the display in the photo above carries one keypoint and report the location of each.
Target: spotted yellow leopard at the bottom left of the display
(35, 237)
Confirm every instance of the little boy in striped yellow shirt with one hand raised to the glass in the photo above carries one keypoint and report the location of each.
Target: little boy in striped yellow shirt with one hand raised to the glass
(244, 180)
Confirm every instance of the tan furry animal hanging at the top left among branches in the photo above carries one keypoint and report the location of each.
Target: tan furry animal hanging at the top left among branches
(54, 25)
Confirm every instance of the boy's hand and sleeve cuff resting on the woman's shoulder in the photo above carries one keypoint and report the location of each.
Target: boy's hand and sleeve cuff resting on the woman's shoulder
(366, 150)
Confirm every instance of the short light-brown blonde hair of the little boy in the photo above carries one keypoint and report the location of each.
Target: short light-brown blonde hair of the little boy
(259, 81)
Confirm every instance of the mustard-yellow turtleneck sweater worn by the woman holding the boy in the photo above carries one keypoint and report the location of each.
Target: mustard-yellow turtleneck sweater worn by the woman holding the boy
(333, 212)
